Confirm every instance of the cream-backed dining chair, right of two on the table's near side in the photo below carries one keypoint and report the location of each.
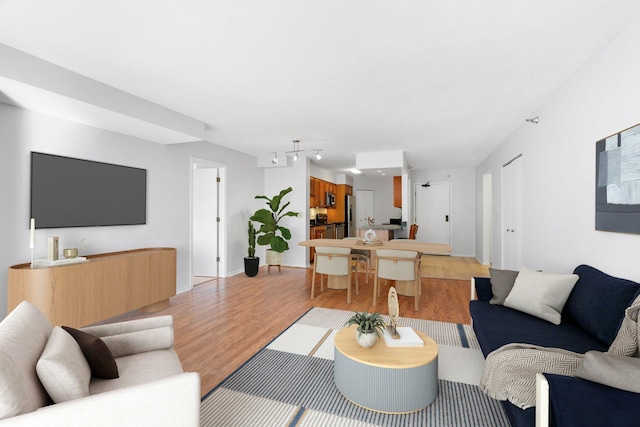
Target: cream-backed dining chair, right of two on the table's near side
(396, 264)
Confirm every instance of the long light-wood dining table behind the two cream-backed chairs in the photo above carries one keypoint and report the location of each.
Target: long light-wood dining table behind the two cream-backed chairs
(402, 287)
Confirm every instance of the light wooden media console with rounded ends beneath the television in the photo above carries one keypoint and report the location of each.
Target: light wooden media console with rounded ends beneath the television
(104, 286)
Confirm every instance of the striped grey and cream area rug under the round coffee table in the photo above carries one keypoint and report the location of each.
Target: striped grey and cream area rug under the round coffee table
(290, 382)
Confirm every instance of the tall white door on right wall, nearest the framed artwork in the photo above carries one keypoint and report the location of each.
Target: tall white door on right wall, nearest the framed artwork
(512, 214)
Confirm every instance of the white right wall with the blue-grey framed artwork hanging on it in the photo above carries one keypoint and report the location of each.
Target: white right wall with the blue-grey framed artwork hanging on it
(559, 166)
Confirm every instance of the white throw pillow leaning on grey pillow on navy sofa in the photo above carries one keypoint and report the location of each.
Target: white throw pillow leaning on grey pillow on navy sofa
(541, 294)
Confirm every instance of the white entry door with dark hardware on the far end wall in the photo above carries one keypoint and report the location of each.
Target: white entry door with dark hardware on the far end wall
(433, 212)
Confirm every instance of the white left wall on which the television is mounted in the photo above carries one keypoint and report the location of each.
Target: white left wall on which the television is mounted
(168, 191)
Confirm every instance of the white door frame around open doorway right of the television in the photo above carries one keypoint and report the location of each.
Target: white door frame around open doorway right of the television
(197, 163)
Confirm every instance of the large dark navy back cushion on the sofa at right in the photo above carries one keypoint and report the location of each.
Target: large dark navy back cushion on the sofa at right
(598, 301)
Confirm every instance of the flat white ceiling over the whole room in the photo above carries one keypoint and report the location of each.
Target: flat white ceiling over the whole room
(445, 81)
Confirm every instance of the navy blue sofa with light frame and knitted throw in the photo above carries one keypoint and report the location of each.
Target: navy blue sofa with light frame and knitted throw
(590, 321)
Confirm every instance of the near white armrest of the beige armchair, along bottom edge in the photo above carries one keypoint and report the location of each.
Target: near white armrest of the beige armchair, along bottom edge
(170, 401)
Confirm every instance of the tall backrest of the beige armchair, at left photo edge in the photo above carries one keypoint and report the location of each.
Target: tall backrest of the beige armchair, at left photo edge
(23, 336)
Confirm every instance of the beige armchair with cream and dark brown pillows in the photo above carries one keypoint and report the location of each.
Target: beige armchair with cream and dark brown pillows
(41, 363)
